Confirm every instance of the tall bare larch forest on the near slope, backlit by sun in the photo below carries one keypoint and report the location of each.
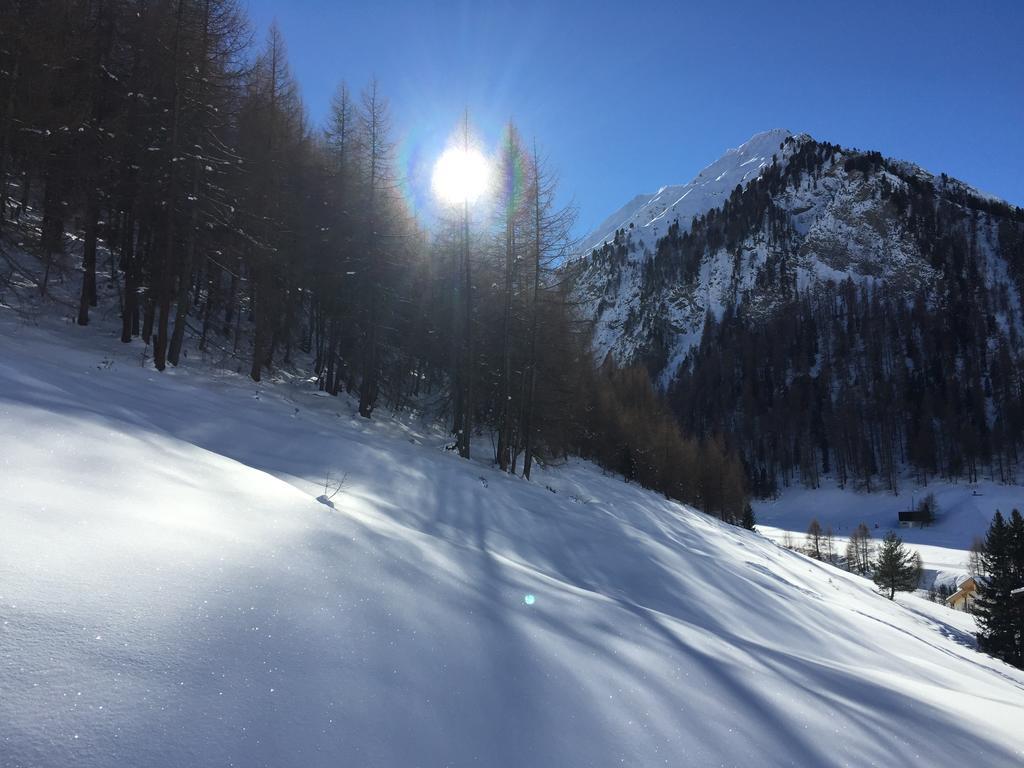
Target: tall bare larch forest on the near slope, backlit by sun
(153, 152)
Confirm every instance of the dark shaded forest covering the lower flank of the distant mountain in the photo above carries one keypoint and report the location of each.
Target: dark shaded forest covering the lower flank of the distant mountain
(858, 382)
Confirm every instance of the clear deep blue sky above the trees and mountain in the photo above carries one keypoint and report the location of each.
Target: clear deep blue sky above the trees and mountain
(625, 98)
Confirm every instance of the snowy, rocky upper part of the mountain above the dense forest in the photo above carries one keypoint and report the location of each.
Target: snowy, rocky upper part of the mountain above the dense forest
(832, 218)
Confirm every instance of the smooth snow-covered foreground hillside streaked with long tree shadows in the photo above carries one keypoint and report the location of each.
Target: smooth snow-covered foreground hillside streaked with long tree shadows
(173, 594)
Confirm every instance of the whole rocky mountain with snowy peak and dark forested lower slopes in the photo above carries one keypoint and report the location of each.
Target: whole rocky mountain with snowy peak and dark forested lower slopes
(832, 312)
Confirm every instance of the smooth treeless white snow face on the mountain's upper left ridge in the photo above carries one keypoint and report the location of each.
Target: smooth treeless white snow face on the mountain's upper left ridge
(651, 216)
